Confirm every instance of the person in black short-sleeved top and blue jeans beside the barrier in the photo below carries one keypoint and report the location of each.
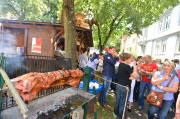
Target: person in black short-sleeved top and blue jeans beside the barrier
(125, 75)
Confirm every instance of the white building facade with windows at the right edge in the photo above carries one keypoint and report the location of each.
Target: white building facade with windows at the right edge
(161, 40)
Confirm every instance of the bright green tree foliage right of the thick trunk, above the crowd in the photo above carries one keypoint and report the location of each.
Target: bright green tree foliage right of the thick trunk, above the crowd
(118, 17)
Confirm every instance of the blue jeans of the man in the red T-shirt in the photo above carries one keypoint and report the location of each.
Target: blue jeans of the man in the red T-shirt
(143, 86)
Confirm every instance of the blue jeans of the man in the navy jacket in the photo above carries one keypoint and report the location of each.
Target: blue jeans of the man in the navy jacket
(105, 89)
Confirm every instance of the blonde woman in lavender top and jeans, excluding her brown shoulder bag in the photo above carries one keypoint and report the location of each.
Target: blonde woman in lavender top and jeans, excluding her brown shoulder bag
(160, 80)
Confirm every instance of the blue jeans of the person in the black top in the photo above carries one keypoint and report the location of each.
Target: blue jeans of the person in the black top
(120, 101)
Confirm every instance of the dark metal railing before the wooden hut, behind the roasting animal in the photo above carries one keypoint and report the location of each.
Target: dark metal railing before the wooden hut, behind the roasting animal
(17, 65)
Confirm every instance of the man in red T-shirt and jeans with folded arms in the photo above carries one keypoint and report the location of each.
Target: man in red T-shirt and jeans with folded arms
(146, 72)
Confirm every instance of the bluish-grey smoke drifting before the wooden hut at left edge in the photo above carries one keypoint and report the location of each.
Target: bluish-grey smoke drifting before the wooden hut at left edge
(14, 60)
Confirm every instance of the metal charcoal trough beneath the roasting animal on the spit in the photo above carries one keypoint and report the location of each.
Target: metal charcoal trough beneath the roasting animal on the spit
(55, 105)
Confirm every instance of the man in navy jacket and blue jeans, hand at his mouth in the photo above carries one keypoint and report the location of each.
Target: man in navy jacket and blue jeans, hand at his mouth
(110, 59)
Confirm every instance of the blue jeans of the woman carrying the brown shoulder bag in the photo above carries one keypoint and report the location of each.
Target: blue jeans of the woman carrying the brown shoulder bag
(162, 112)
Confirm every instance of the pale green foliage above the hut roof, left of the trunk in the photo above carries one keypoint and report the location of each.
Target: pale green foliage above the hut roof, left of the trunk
(31, 10)
